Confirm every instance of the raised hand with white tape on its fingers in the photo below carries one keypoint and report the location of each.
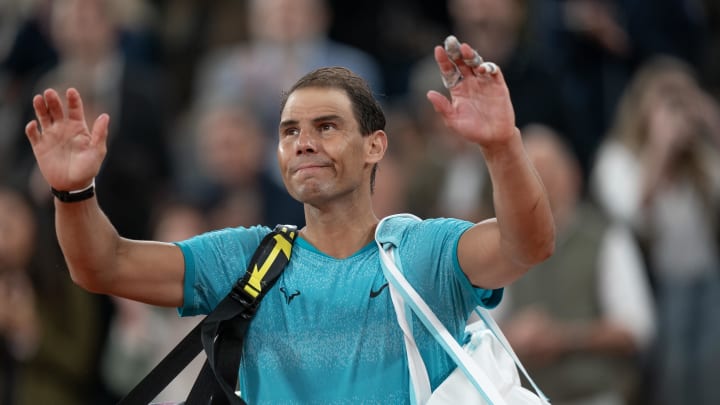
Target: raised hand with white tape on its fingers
(479, 108)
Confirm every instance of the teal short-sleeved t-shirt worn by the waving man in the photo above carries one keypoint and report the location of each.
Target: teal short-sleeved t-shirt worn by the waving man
(327, 331)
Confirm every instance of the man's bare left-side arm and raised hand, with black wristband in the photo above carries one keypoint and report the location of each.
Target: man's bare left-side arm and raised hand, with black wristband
(69, 156)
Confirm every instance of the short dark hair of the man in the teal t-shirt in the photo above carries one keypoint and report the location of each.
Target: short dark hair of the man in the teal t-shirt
(366, 108)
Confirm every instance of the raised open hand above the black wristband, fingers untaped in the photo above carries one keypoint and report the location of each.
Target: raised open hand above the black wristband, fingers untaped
(68, 154)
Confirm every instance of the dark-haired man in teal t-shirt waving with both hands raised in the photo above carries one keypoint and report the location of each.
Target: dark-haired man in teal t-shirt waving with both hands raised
(326, 332)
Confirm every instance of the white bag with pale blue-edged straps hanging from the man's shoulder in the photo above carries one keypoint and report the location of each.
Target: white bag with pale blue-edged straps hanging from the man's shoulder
(487, 371)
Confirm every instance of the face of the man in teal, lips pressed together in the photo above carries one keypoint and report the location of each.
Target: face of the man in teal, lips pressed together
(322, 154)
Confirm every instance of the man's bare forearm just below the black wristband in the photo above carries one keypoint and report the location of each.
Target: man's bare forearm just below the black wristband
(89, 242)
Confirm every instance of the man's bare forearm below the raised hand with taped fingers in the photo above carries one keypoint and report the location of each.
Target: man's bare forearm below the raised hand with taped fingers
(521, 205)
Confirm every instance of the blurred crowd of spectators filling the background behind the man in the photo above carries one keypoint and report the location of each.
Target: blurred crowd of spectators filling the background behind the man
(617, 101)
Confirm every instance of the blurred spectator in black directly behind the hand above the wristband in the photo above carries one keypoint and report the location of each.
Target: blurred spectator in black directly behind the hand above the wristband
(86, 34)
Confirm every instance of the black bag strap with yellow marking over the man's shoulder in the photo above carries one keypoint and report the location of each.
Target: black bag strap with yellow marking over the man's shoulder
(221, 333)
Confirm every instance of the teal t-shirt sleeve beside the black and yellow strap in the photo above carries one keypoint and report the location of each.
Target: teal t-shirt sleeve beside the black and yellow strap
(214, 261)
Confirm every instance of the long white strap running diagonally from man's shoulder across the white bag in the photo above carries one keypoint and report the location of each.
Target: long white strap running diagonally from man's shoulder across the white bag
(474, 373)
